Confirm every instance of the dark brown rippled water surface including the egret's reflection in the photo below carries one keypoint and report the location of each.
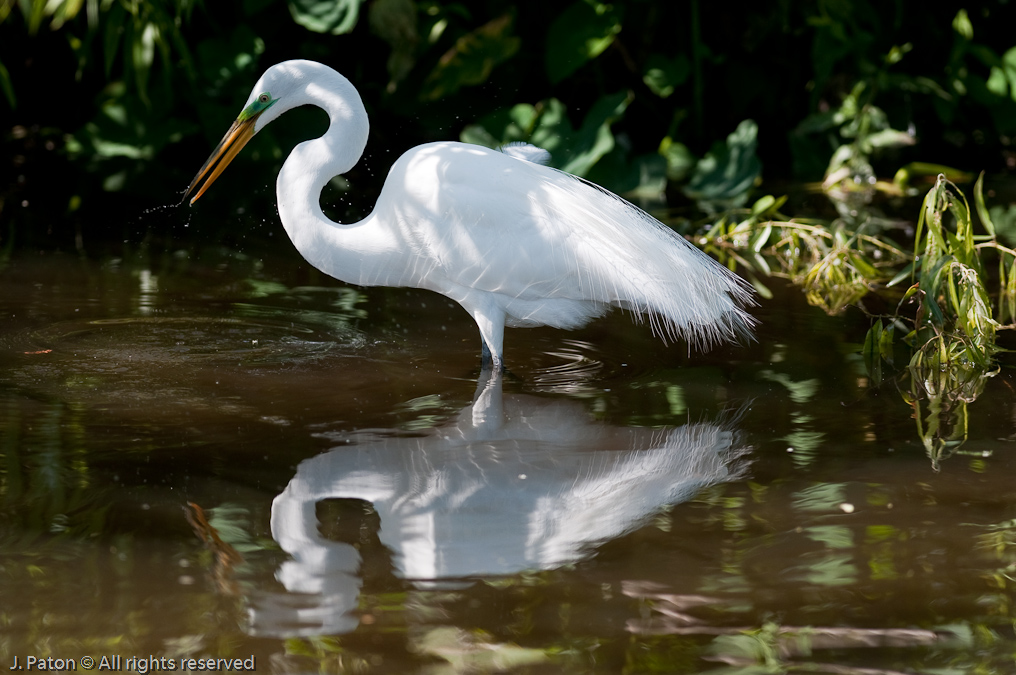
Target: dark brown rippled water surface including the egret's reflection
(376, 506)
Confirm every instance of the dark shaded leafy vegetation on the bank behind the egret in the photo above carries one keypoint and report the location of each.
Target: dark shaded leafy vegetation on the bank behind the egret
(108, 107)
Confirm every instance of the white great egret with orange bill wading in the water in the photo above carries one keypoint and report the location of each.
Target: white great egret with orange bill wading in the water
(515, 242)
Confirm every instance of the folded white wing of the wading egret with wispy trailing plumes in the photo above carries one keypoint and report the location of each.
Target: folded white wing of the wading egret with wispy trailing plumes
(485, 221)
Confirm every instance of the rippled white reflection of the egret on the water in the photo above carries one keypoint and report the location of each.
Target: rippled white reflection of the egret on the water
(512, 484)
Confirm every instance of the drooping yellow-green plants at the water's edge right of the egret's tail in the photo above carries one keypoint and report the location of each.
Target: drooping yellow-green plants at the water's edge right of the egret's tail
(948, 318)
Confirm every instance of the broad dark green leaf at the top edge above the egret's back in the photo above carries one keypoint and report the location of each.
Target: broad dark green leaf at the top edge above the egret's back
(580, 34)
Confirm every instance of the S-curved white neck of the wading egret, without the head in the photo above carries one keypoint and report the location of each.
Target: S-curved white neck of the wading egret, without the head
(343, 252)
